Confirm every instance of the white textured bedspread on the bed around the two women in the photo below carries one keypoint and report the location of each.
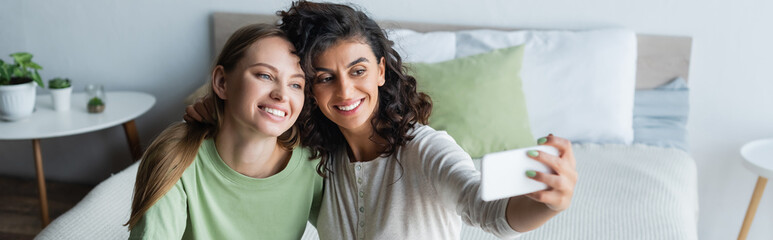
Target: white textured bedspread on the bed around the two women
(623, 192)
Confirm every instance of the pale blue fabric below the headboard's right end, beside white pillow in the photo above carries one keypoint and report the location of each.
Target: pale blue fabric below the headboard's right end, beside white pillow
(660, 115)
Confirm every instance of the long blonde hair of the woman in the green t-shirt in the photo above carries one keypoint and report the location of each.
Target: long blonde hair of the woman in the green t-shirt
(176, 147)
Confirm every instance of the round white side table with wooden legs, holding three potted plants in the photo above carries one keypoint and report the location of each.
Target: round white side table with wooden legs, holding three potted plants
(121, 108)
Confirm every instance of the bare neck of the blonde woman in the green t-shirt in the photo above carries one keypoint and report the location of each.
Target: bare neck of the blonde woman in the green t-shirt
(249, 152)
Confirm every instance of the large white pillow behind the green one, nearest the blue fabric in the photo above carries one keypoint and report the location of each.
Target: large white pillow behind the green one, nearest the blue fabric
(578, 84)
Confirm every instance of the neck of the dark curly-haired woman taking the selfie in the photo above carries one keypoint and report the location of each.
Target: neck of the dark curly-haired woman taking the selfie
(364, 144)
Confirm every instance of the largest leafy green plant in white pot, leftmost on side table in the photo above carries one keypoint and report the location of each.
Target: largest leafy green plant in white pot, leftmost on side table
(17, 86)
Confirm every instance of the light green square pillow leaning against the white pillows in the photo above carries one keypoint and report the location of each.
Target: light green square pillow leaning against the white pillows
(478, 100)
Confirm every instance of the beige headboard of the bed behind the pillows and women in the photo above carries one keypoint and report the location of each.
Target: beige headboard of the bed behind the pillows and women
(660, 58)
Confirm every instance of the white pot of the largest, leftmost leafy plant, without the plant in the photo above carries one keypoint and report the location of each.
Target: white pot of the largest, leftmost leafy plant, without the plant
(17, 101)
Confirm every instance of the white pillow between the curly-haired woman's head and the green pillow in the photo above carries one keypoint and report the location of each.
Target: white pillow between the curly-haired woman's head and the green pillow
(428, 47)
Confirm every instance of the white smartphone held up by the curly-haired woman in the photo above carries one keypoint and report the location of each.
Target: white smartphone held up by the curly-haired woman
(503, 174)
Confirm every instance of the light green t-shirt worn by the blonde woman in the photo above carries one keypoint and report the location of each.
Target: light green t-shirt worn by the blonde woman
(212, 201)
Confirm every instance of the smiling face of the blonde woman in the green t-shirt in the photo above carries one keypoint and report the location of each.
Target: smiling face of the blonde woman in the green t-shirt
(265, 90)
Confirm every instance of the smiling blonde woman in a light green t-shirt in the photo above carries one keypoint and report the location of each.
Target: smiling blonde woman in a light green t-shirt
(238, 178)
